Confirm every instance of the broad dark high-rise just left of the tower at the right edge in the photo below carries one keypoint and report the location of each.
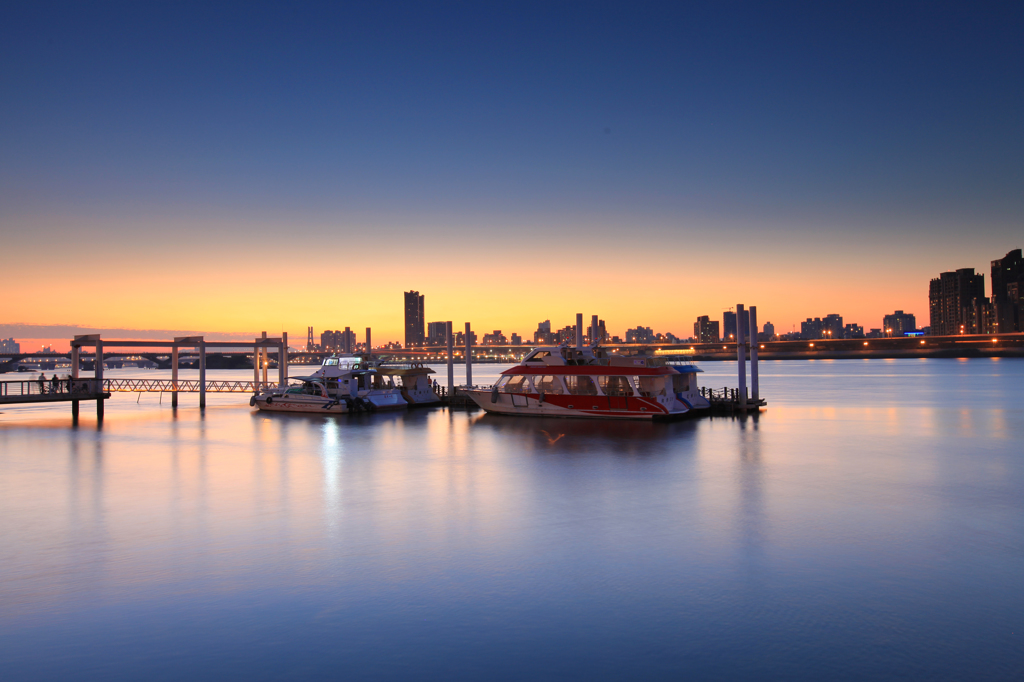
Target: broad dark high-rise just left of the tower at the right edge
(957, 304)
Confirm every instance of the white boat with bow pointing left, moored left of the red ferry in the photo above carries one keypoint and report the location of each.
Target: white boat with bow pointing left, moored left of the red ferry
(344, 385)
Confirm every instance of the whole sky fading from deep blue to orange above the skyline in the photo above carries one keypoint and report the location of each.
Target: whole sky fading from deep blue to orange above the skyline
(241, 167)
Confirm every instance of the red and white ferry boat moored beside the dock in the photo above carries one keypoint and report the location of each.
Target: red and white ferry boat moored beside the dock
(562, 381)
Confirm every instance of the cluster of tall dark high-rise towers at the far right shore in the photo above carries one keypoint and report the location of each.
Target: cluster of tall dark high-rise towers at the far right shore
(958, 304)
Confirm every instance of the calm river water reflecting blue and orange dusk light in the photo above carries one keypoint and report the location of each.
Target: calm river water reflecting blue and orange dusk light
(869, 526)
